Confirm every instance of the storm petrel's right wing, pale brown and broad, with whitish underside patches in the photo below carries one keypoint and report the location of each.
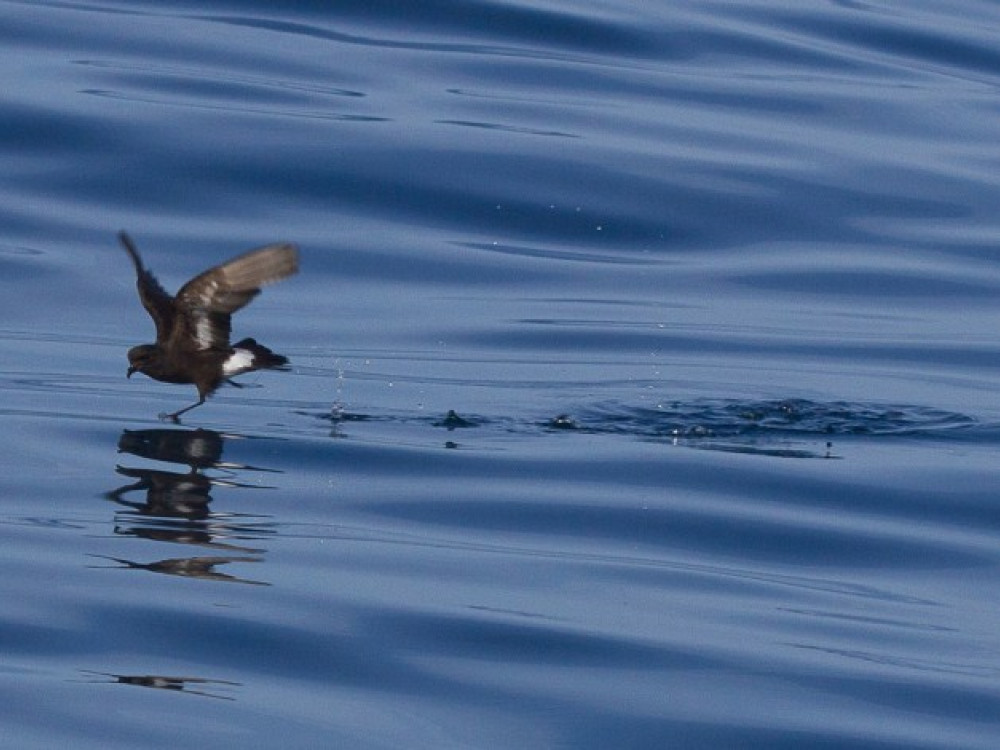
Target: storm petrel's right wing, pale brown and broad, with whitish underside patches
(206, 302)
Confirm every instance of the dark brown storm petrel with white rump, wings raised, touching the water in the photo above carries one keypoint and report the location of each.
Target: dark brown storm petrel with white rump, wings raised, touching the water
(192, 328)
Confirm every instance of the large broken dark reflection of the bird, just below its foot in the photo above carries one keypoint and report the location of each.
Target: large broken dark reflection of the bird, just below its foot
(175, 506)
